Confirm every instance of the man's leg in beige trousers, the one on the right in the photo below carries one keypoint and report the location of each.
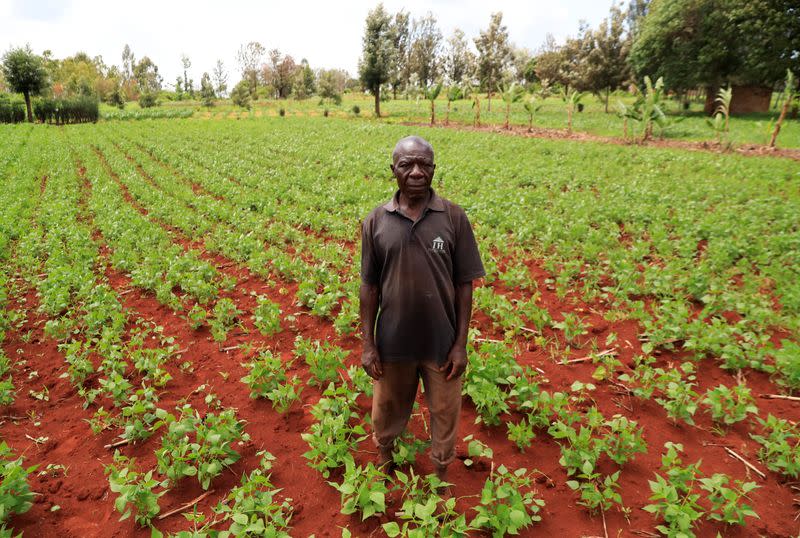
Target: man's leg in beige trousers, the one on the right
(444, 403)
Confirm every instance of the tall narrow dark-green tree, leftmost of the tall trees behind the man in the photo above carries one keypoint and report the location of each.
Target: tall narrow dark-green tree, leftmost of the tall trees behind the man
(378, 55)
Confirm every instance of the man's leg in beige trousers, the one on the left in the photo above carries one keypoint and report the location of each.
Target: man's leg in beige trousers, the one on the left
(392, 401)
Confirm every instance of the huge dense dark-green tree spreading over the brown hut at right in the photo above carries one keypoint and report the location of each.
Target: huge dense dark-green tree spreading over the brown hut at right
(710, 43)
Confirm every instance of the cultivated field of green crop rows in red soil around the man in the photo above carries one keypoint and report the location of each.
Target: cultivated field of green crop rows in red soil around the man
(180, 297)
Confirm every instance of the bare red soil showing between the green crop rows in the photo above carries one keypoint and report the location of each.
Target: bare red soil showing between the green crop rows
(86, 504)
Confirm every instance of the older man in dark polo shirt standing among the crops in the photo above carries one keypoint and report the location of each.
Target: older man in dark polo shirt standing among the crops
(418, 261)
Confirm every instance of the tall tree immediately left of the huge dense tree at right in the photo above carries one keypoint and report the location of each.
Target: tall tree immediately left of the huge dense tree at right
(606, 66)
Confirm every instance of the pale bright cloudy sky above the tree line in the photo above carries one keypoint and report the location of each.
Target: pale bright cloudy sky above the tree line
(328, 34)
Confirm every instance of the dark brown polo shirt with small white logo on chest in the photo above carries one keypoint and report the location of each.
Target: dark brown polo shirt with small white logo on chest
(416, 266)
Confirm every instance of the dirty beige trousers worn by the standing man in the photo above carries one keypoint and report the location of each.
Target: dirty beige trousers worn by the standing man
(393, 399)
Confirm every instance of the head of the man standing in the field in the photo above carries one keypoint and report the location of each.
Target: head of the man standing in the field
(413, 166)
